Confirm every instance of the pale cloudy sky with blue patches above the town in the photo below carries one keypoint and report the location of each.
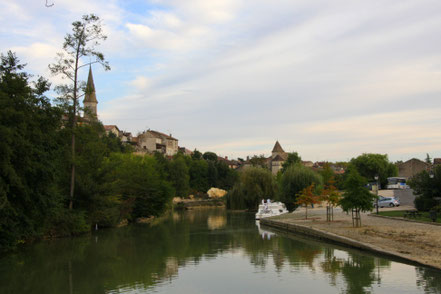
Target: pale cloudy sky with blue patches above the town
(328, 79)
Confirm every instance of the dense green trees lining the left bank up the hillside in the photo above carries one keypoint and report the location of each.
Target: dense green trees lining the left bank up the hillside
(111, 183)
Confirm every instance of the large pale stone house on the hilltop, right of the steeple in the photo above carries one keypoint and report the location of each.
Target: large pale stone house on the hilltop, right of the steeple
(154, 141)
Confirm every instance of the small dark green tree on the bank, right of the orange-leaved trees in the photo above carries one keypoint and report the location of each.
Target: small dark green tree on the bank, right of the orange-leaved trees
(356, 196)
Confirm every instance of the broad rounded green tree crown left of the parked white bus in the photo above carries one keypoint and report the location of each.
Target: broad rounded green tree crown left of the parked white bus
(369, 165)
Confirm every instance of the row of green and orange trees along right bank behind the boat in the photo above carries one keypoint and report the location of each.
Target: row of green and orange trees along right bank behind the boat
(297, 185)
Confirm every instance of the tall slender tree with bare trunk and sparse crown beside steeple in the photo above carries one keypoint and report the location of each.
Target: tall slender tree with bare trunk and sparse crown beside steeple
(86, 35)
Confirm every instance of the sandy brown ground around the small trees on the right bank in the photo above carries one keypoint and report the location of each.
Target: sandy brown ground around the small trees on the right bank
(415, 241)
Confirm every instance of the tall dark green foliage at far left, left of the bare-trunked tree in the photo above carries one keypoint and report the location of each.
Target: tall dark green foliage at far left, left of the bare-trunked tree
(28, 154)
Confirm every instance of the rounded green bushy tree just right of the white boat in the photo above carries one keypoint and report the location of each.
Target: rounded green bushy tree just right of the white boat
(295, 179)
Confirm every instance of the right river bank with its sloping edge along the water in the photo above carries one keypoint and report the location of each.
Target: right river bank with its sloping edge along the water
(416, 242)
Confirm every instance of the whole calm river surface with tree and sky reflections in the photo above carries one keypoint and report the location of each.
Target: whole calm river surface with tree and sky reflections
(205, 251)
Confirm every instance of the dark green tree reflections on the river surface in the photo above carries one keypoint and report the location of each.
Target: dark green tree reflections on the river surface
(141, 256)
